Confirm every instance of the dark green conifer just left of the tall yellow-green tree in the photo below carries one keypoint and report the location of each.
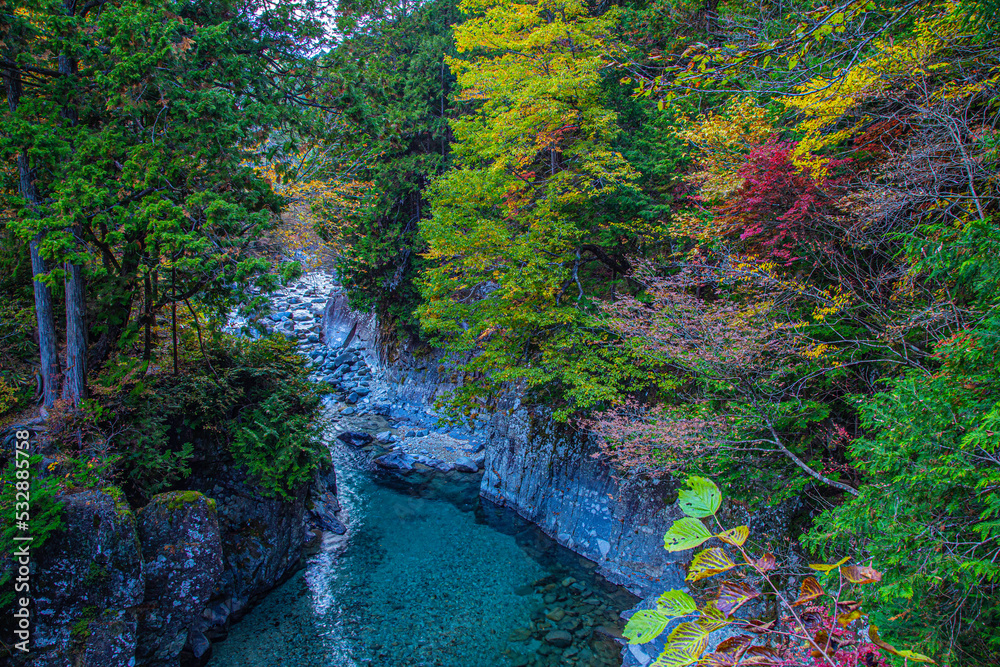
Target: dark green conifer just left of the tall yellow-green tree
(396, 93)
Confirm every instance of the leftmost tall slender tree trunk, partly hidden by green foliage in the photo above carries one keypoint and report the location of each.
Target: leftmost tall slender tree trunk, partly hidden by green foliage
(48, 355)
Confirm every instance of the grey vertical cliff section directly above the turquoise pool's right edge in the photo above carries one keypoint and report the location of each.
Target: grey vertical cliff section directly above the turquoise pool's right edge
(547, 472)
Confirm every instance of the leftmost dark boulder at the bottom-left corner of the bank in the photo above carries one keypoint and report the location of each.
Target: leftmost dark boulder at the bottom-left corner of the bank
(88, 576)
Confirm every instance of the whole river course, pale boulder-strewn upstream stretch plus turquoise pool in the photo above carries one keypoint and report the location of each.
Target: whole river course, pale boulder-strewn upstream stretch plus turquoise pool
(390, 442)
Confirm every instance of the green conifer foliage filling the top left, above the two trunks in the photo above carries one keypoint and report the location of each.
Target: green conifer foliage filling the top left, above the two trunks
(141, 152)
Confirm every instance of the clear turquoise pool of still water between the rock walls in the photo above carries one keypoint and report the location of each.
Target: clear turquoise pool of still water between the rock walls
(427, 574)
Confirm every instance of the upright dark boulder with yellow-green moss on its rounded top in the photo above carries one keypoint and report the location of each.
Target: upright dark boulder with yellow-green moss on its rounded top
(182, 551)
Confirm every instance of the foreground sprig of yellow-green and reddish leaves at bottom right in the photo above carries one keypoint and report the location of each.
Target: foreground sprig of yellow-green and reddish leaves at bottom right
(826, 632)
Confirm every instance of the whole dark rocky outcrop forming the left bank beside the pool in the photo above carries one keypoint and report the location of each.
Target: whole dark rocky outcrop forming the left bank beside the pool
(154, 588)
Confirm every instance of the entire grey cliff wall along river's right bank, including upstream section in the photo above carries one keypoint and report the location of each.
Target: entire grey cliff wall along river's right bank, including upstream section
(541, 469)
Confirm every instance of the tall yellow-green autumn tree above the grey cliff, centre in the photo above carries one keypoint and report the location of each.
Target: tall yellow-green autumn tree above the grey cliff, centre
(534, 222)
